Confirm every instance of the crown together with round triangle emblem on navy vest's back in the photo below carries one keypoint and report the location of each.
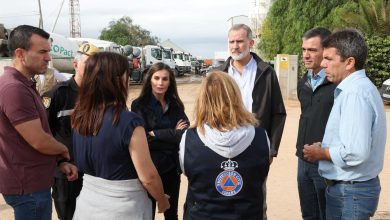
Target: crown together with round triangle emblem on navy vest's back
(229, 182)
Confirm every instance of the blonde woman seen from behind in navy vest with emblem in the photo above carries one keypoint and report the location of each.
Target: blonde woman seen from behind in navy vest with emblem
(223, 155)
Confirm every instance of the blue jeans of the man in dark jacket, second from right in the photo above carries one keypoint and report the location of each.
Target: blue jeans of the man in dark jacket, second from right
(311, 189)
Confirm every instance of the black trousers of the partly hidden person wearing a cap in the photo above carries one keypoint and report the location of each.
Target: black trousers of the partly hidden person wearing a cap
(64, 195)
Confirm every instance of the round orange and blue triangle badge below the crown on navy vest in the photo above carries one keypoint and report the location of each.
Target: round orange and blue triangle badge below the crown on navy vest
(229, 183)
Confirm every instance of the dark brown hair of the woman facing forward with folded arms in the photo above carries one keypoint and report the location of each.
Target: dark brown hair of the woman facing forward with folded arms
(171, 93)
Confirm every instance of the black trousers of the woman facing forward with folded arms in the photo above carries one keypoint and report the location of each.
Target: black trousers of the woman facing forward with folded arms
(171, 182)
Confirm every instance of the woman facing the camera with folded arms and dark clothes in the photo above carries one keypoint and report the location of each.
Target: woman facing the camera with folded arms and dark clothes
(165, 121)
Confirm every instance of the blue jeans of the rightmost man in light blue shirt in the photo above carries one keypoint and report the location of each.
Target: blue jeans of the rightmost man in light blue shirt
(356, 201)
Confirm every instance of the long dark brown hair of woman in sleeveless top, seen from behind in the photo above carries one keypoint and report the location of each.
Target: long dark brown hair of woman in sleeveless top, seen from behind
(103, 86)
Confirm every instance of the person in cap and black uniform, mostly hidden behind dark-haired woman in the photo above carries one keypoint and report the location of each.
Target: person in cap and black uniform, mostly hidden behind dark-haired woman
(59, 103)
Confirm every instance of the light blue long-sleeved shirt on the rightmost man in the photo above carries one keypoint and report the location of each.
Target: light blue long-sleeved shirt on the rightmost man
(355, 132)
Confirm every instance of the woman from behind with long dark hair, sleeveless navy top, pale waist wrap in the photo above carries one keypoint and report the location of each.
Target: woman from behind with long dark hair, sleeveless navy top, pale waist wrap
(110, 147)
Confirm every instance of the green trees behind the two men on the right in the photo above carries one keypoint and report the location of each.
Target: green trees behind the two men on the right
(288, 20)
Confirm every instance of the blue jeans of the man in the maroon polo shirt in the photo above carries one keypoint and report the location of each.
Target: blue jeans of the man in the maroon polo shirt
(32, 206)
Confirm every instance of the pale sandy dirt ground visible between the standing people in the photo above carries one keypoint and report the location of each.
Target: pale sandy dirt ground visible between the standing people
(282, 196)
